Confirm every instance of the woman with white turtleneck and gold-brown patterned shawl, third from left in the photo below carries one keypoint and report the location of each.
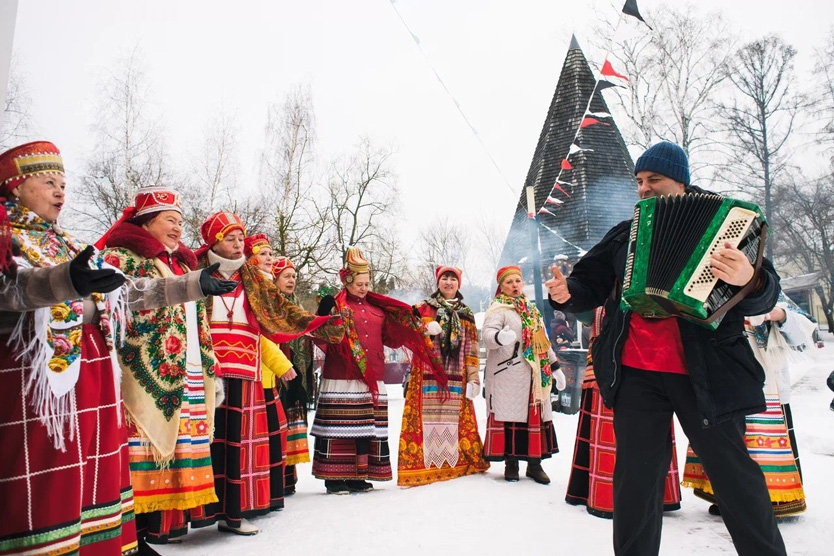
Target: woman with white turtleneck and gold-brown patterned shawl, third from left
(244, 478)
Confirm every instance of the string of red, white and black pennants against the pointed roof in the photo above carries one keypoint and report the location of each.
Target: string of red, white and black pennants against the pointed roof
(608, 77)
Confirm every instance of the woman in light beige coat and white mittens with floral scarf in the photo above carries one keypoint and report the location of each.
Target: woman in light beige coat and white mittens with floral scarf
(519, 374)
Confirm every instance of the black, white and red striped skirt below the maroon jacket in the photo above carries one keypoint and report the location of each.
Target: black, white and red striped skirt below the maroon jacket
(351, 432)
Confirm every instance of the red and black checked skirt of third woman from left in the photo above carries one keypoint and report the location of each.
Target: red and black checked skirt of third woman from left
(244, 473)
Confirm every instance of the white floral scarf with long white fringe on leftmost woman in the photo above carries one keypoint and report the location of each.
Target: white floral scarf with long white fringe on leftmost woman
(55, 350)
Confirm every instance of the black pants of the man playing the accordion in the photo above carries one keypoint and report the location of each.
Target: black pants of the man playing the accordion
(642, 410)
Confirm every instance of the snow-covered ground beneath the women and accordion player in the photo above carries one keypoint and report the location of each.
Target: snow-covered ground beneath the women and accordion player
(484, 515)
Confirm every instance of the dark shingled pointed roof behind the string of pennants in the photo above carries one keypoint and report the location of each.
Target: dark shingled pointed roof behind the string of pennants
(604, 190)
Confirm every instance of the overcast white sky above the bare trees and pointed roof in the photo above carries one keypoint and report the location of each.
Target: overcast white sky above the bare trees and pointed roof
(500, 59)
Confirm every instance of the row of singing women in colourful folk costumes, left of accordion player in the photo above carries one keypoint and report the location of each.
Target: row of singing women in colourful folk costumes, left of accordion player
(181, 397)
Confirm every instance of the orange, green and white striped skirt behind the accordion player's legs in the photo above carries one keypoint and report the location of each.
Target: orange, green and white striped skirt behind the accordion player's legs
(769, 444)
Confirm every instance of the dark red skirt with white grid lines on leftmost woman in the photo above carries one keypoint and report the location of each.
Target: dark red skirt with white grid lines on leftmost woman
(77, 501)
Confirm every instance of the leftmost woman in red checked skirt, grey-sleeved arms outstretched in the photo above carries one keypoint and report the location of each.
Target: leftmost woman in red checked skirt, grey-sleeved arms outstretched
(67, 483)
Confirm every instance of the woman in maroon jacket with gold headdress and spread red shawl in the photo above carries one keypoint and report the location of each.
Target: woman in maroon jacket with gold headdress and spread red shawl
(351, 423)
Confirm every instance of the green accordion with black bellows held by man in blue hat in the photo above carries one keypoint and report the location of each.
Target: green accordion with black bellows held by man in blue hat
(668, 271)
